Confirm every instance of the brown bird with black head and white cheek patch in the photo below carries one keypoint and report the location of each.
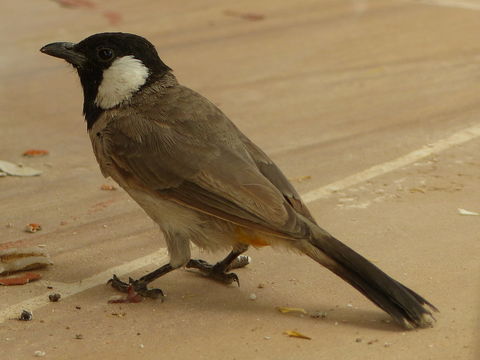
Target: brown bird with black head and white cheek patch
(201, 179)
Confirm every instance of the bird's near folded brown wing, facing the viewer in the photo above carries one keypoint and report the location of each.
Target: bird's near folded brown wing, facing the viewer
(194, 155)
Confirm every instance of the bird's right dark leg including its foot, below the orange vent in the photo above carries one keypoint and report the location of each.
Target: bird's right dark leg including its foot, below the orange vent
(218, 272)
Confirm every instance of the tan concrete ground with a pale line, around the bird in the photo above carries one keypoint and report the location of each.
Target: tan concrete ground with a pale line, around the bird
(372, 108)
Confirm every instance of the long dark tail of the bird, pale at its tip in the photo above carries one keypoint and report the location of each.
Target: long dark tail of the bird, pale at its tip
(404, 305)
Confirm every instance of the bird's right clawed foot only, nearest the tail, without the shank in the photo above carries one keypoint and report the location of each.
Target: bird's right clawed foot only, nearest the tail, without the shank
(218, 271)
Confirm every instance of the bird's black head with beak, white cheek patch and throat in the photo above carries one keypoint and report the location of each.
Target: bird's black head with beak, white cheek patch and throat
(112, 68)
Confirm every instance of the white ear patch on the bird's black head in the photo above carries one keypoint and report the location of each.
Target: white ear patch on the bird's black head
(120, 81)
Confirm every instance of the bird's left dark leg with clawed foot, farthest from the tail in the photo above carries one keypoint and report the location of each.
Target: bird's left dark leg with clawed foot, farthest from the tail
(140, 285)
